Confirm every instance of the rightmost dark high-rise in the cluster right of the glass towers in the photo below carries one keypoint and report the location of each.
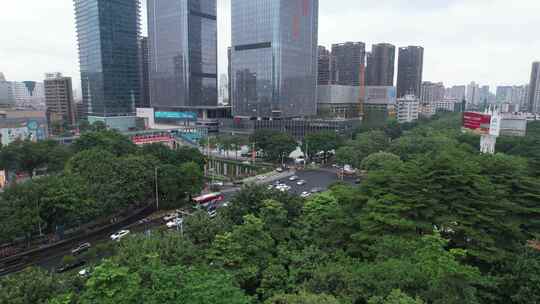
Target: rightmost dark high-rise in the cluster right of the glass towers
(410, 67)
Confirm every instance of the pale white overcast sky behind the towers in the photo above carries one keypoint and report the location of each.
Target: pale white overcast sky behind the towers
(491, 42)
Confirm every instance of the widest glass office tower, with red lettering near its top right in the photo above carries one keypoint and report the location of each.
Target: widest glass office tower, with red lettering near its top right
(274, 58)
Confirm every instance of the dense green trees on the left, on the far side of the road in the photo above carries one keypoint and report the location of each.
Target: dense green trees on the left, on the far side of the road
(101, 174)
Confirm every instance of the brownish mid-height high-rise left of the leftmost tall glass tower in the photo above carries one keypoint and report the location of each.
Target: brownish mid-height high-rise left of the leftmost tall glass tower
(59, 98)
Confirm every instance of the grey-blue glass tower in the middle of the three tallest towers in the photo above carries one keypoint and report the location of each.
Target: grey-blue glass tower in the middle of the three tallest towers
(183, 53)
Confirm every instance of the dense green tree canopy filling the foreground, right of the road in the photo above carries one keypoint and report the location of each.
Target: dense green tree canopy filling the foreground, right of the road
(433, 222)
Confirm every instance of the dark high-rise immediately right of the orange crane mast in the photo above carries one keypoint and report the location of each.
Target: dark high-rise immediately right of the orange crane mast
(380, 65)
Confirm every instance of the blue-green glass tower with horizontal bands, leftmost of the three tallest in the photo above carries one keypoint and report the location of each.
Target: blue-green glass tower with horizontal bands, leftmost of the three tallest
(108, 33)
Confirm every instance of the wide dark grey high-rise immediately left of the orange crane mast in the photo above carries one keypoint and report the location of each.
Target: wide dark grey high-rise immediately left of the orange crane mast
(348, 63)
